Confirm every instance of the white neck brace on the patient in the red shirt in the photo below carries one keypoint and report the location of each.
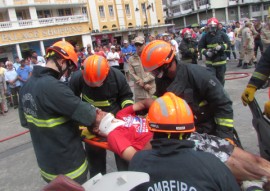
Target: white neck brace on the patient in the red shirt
(108, 124)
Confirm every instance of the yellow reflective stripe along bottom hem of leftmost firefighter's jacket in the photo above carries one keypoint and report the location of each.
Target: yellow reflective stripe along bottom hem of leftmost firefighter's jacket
(74, 174)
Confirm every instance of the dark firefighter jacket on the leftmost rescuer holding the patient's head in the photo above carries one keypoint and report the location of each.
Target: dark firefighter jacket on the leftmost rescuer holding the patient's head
(51, 111)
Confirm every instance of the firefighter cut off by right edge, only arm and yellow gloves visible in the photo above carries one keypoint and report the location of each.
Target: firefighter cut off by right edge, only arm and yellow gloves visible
(257, 80)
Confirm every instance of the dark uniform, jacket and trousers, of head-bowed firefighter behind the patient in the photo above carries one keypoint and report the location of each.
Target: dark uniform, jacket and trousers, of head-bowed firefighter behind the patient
(113, 95)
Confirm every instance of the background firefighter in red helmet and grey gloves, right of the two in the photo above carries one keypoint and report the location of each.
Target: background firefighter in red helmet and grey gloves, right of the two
(213, 46)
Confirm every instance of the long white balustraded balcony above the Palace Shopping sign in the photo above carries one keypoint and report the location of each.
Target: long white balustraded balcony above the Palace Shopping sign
(22, 24)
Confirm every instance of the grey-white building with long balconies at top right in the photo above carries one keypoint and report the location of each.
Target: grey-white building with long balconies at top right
(187, 12)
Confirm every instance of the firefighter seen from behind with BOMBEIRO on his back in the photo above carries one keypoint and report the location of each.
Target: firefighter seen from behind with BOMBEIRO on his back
(171, 121)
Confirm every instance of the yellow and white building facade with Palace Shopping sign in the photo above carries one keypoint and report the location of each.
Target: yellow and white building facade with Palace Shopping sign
(33, 25)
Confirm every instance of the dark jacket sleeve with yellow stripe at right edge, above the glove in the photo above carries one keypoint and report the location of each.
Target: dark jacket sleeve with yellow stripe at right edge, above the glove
(262, 71)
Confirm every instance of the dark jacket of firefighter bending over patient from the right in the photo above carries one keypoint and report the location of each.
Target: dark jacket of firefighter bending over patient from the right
(211, 105)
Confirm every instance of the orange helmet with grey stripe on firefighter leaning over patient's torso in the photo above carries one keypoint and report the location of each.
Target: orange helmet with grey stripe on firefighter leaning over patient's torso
(156, 54)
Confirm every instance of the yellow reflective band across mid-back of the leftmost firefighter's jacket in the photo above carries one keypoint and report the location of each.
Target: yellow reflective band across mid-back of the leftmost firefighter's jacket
(49, 123)
